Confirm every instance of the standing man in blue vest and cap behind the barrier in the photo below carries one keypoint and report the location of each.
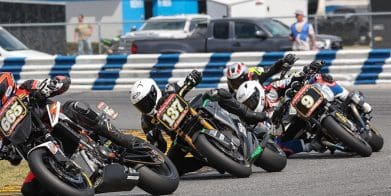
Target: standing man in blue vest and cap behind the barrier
(302, 34)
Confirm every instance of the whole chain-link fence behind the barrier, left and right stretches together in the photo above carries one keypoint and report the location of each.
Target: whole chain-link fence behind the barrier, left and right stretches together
(355, 29)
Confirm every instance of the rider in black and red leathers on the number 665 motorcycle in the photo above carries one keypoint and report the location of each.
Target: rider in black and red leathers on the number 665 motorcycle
(77, 111)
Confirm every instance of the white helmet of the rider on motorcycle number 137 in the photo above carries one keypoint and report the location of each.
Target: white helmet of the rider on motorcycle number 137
(144, 95)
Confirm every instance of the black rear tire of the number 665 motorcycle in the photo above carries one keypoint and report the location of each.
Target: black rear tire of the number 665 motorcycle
(156, 183)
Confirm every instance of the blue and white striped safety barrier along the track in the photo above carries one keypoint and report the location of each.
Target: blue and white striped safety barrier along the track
(119, 72)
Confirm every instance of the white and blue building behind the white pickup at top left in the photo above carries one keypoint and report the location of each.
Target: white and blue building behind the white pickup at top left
(120, 16)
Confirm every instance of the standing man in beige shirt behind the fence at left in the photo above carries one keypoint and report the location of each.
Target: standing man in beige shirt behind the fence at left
(83, 33)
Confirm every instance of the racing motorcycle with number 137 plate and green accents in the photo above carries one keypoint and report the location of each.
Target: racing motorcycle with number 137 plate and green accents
(216, 136)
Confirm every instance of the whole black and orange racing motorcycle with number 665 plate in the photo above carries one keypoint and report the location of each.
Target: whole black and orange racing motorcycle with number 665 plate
(67, 161)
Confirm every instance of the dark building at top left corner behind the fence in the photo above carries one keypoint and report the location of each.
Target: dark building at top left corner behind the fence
(50, 39)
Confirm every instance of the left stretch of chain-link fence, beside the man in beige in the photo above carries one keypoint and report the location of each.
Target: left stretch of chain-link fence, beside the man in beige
(59, 38)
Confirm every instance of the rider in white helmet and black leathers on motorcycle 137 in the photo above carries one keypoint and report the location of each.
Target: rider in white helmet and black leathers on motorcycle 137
(146, 96)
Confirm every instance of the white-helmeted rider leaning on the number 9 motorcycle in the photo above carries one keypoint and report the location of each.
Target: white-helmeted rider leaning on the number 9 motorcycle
(252, 95)
